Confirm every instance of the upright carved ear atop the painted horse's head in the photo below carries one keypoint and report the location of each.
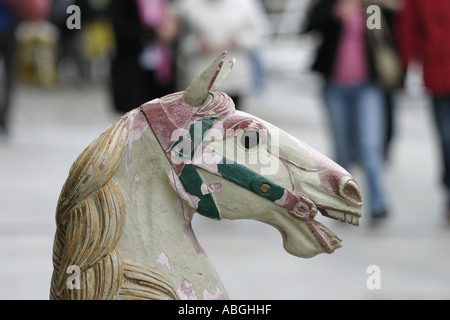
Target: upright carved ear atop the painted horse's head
(209, 80)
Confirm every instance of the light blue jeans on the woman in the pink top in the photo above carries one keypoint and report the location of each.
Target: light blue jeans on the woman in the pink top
(357, 116)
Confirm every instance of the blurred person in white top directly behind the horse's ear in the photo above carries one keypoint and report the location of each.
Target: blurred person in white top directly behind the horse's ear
(210, 27)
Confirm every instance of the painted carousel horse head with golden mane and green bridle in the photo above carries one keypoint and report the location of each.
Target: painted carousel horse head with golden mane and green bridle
(124, 214)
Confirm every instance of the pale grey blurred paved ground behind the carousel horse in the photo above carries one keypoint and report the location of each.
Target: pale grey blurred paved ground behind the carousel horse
(49, 129)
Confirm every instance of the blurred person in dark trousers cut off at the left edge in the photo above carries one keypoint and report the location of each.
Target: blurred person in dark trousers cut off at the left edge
(11, 14)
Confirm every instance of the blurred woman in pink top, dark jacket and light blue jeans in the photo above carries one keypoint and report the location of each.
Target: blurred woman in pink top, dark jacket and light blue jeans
(352, 95)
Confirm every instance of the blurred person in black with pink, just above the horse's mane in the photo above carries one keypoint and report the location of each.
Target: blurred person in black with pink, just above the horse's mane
(142, 67)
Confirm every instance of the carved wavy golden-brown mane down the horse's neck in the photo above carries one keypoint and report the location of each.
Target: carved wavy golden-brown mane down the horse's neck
(90, 217)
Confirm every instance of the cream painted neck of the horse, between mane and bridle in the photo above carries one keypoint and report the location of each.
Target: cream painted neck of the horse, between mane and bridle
(157, 233)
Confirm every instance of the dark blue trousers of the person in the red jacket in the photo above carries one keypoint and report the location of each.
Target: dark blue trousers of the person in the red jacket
(441, 108)
